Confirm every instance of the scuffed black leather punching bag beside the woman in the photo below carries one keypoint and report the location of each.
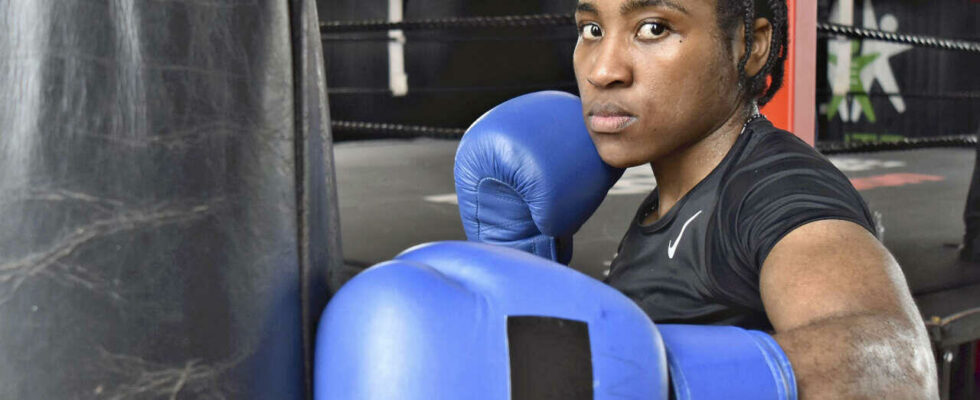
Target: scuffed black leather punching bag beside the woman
(168, 218)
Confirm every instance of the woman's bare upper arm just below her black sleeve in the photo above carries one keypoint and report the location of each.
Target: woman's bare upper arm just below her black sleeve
(831, 268)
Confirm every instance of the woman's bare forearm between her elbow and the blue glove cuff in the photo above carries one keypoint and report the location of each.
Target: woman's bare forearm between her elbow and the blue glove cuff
(861, 356)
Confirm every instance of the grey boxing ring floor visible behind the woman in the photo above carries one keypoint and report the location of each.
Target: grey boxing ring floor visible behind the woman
(396, 194)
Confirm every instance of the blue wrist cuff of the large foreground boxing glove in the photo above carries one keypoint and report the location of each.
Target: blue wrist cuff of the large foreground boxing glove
(726, 362)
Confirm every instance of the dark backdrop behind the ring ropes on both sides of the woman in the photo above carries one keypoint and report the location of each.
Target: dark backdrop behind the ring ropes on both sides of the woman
(454, 76)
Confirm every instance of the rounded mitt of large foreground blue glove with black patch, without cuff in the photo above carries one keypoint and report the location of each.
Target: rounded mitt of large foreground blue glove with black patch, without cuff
(462, 320)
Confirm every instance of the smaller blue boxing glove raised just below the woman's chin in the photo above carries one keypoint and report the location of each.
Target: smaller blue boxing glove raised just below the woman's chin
(528, 175)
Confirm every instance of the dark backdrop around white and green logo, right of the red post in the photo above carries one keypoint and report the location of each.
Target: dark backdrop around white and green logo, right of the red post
(941, 88)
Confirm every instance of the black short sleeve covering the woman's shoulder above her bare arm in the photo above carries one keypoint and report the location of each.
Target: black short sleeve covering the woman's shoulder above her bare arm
(778, 183)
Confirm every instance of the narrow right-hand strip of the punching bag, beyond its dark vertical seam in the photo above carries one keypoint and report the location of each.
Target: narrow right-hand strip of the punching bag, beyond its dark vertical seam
(322, 269)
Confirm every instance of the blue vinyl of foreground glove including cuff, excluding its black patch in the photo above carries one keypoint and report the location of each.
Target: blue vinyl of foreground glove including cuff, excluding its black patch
(432, 324)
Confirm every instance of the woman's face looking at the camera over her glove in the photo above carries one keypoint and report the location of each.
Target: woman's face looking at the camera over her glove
(654, 76)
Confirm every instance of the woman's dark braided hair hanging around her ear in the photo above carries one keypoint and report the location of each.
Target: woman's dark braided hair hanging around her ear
(763, 85)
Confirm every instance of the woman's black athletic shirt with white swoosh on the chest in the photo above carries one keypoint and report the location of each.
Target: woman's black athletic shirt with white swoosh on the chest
(699, 263)
